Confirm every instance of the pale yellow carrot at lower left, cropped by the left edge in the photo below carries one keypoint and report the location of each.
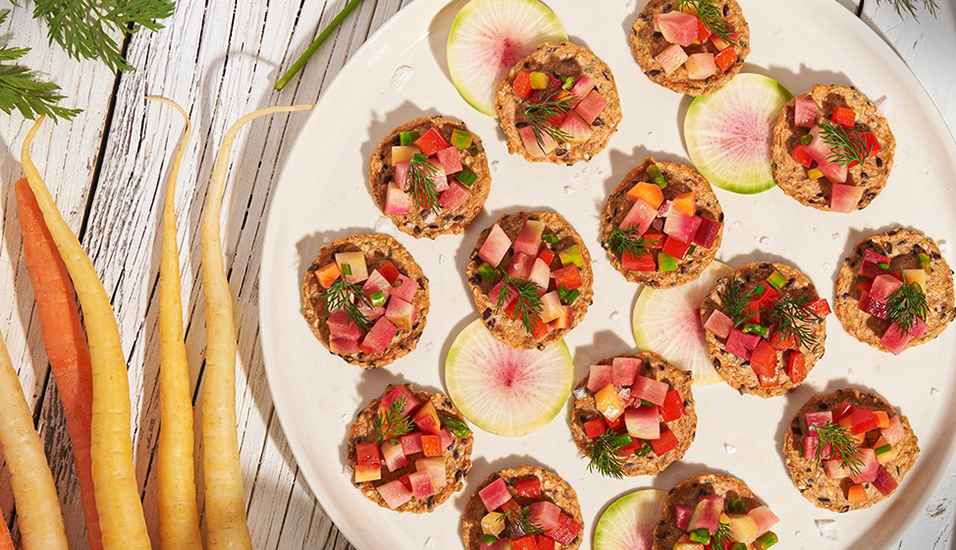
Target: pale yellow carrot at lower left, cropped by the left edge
(38, 508)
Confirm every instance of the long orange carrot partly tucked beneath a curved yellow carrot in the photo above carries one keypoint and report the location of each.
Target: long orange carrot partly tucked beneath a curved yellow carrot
(64, 341)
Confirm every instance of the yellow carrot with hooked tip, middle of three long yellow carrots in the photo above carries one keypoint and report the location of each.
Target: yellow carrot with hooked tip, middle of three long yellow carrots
(178, 511)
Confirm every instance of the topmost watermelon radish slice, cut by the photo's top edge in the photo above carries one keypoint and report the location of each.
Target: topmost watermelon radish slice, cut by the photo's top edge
(489, 37)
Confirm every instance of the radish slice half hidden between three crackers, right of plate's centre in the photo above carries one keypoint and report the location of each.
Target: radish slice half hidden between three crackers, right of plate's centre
(653, 332)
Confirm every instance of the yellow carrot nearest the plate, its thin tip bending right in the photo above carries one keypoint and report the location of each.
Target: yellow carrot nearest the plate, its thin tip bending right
(226, 526)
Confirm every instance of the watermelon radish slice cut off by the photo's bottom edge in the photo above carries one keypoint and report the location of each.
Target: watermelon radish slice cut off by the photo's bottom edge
(628, 523)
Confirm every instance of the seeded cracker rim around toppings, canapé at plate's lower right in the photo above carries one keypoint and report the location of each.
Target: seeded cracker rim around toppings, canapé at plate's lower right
(809, 476)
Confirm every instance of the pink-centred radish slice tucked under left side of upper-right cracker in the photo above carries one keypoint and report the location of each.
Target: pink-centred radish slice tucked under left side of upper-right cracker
(728, 133)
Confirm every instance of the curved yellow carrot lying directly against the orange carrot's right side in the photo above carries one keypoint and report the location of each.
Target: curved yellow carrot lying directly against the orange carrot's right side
(114, 479)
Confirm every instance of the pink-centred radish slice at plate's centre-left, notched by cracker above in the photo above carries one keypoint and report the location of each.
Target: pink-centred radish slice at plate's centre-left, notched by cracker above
(503, 390)
